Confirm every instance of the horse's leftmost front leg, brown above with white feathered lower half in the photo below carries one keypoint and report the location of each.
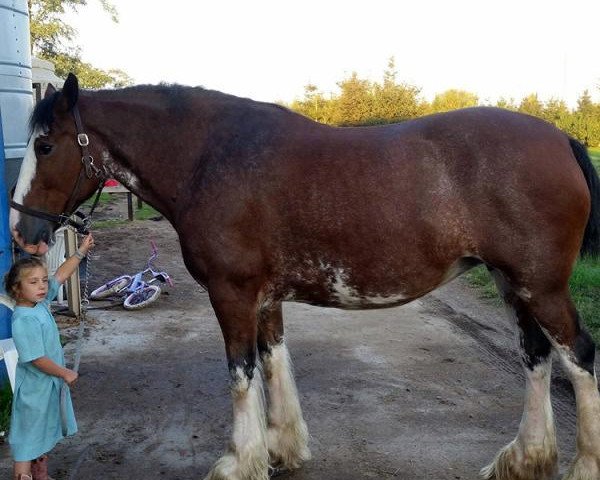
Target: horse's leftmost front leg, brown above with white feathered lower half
(247, 458)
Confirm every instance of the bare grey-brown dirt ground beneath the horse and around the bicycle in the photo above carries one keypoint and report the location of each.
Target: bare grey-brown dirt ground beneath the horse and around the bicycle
(430, 390)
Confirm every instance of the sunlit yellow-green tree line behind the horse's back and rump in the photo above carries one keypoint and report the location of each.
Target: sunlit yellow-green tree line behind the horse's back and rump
(363, 102)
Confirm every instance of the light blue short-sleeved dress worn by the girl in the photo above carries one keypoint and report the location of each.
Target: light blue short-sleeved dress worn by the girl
(36, 422)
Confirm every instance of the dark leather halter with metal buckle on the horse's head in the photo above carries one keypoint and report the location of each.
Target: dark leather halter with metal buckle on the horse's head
(89, 170)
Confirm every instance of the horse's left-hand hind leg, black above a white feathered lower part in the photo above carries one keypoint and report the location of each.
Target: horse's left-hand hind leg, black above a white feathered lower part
(532, 455)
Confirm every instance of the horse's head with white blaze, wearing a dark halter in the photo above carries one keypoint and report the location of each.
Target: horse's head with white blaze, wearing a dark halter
(55, 175)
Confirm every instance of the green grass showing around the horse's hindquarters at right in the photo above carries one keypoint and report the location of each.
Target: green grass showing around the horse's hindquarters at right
(584, 284)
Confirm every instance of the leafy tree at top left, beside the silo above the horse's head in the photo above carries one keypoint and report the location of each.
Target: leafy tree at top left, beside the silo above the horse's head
(52, 39)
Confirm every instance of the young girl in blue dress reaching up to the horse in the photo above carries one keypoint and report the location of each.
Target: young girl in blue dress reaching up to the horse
(38, 422)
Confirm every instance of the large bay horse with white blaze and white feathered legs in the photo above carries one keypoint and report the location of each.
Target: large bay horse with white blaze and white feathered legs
(270, 207)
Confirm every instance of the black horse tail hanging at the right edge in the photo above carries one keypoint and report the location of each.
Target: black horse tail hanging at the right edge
(591, 239)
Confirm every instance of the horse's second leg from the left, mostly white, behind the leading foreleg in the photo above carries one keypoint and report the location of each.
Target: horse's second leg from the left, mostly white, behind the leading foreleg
(287, 434)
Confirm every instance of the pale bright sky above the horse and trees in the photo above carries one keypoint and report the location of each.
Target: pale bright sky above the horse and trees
(269, 50)
